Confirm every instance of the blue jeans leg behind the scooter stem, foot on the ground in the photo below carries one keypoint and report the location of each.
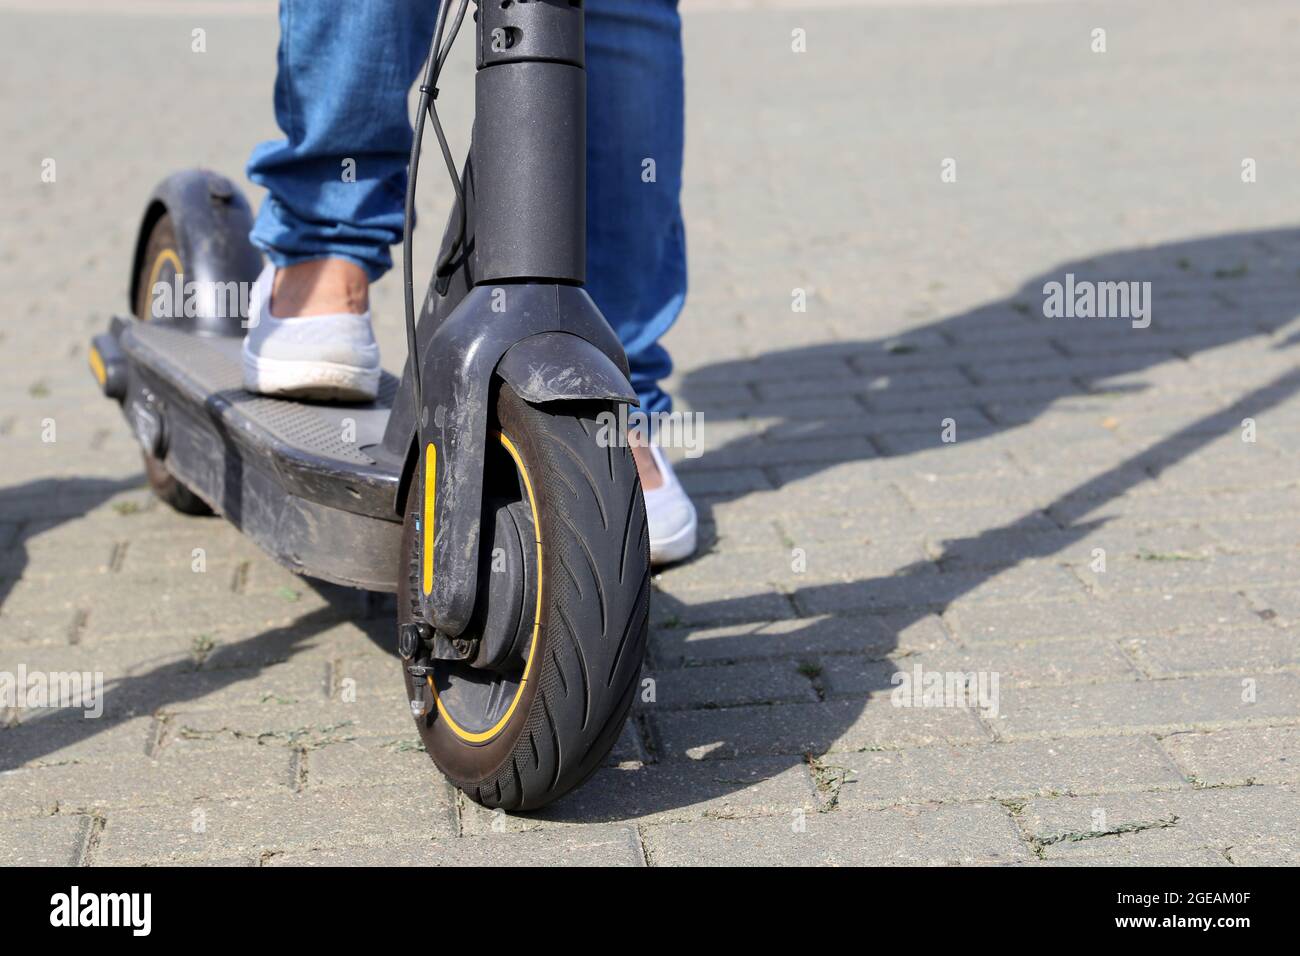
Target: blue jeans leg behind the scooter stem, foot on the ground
(636, 250)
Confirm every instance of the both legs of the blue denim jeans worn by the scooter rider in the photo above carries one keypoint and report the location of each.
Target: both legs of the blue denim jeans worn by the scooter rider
(336, 185)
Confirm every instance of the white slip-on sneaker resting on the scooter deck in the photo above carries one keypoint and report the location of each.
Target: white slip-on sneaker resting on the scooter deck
(331, 358)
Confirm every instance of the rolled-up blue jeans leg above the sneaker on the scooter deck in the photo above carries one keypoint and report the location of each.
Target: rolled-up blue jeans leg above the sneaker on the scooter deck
(345, 70)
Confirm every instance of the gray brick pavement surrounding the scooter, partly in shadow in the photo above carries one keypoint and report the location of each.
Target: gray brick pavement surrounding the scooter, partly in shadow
(1149, 710)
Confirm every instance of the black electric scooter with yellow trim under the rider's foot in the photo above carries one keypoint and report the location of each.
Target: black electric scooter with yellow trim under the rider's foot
(479, 486)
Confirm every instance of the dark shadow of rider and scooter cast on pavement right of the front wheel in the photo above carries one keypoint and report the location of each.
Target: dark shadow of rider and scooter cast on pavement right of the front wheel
(1208, 293)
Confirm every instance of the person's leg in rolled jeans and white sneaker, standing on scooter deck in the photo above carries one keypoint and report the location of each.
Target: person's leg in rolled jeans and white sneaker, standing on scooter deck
(336, 192)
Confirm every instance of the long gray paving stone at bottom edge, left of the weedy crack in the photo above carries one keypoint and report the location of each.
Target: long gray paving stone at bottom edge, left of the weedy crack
(908, 836)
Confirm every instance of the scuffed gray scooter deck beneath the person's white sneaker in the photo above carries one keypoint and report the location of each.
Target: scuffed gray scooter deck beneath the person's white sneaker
(309, 482)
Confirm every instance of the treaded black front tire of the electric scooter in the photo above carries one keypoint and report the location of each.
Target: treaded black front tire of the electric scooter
(595, 615)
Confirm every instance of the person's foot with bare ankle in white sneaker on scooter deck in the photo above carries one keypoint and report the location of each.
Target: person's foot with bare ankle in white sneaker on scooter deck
(322, 345)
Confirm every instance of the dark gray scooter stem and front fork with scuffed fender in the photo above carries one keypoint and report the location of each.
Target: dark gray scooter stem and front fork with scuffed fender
(518, 278)
